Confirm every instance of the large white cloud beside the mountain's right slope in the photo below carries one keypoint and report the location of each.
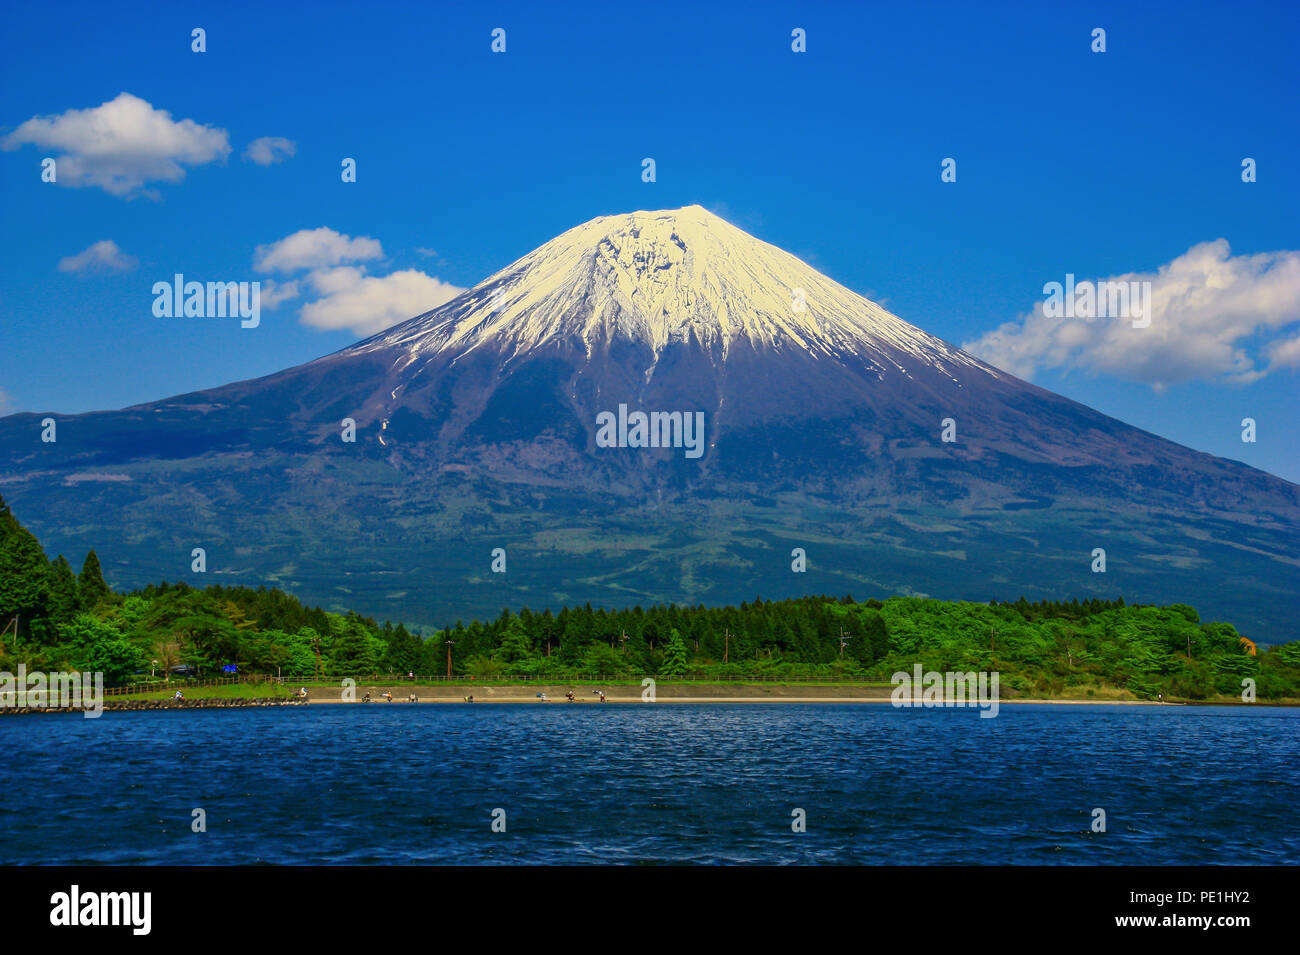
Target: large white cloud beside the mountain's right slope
(1214, 318)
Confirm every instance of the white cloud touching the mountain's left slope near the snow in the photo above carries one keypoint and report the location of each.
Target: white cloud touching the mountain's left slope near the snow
(350, 299)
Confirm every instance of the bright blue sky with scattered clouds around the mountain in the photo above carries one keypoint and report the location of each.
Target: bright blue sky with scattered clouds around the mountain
(1069, 162)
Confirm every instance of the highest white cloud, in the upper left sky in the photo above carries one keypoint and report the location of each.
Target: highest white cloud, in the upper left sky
(122, 145)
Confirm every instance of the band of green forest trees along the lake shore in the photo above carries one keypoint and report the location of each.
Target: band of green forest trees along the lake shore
(60, 619)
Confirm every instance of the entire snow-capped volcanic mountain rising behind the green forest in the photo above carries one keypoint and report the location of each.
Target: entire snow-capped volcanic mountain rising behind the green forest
(895, 461)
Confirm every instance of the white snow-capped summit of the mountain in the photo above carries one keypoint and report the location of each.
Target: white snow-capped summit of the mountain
(658, 279)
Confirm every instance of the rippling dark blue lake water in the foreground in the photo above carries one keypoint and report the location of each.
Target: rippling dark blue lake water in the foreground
(392, 784)
